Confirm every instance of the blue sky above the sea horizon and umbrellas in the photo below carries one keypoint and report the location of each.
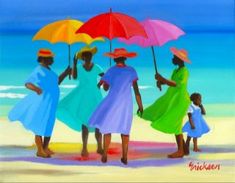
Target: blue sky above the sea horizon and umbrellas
(197, 15)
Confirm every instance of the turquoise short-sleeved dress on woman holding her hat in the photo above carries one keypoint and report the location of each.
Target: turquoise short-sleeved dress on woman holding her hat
(75, 109)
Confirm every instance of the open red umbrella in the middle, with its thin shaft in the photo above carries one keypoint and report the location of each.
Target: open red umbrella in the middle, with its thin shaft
(112, 25)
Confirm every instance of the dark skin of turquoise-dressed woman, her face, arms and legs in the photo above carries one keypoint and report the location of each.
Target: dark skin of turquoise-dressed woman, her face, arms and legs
(88, 65)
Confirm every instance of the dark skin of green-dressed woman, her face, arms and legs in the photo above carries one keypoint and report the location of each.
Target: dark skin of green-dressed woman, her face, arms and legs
(182, 147)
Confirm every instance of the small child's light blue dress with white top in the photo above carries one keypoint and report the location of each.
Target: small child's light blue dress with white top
(200, 124)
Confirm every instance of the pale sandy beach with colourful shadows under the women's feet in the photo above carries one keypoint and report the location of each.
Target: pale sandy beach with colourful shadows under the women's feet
(147, 156)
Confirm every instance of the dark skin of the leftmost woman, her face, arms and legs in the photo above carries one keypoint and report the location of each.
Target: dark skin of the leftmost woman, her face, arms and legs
(46, 62)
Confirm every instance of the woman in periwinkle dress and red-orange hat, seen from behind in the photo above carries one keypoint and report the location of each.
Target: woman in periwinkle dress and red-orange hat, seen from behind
(114, 114)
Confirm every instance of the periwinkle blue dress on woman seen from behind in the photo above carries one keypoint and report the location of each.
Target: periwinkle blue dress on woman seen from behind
(114, 114)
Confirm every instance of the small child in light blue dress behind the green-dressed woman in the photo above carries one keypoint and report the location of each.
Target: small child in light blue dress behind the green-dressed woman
(196, 126)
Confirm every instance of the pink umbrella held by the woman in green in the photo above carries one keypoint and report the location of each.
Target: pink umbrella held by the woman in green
(158, 33)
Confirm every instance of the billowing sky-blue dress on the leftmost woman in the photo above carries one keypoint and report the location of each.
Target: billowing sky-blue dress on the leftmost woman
(37, 112)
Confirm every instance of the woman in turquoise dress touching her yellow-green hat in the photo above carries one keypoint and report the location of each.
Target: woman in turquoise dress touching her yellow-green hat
(75, 109)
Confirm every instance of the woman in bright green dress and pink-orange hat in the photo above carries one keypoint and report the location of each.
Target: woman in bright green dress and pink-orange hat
(167, 112)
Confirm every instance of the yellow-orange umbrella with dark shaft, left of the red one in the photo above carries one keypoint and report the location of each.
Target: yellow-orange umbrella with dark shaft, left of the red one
(64, 31)
